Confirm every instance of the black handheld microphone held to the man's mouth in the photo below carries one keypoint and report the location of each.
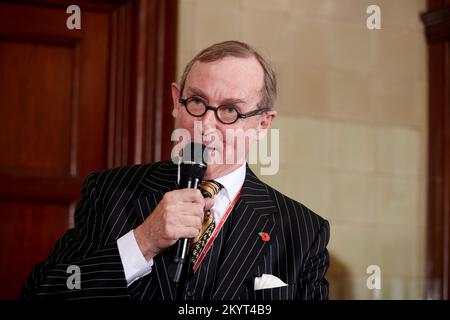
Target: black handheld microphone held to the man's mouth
(192, 170)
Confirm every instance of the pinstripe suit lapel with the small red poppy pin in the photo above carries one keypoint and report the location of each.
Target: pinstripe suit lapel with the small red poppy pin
(253, 213)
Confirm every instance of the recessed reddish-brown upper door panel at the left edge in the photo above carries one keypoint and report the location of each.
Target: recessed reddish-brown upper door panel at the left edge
(35, 133)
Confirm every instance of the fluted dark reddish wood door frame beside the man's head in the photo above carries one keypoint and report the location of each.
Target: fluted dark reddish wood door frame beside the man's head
(141, 124)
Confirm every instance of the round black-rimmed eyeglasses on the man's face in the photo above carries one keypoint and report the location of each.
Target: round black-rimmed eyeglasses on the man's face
(227, 114)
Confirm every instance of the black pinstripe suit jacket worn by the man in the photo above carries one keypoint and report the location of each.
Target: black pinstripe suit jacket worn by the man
(114, 202)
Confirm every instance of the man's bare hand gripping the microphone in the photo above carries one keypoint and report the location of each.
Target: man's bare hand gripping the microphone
(178, 215)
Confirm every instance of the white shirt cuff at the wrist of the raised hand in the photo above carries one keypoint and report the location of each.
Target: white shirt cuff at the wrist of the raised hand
(134, 263)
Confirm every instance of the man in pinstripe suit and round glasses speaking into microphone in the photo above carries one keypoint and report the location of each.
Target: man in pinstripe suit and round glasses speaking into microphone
(262, 245)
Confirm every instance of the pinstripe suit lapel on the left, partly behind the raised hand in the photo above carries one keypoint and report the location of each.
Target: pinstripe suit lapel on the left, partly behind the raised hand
(155, 184)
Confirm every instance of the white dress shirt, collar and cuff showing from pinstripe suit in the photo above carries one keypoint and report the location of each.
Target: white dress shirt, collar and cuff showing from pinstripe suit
(134, 263)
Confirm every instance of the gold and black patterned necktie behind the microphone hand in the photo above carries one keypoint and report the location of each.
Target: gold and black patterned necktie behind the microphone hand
(208, 189)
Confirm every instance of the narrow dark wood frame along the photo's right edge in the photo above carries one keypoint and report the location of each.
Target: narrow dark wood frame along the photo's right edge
(437, 26)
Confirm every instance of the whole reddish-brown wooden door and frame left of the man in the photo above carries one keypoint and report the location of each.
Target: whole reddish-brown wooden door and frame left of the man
(73, 102)
